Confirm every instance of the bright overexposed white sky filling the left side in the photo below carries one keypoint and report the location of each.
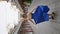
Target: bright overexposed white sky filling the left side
(8, 16)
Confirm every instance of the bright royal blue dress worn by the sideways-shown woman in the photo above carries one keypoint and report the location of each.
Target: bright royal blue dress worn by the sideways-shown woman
(40, 14)
